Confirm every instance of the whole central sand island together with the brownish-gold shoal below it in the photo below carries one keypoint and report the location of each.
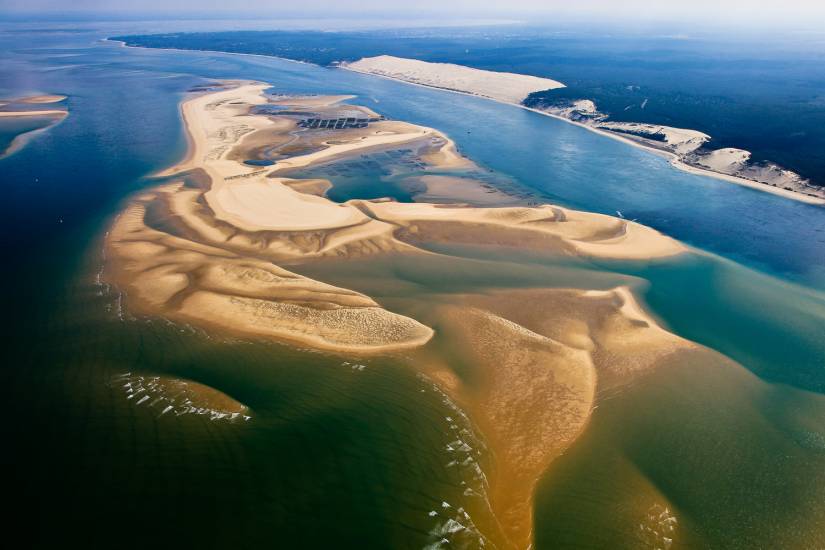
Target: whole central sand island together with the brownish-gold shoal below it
(221, 243)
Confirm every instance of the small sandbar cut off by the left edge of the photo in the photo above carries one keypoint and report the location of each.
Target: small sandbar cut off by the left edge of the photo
(26, 118)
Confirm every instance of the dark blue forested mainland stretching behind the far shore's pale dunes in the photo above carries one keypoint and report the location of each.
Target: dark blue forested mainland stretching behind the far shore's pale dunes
(751, 128)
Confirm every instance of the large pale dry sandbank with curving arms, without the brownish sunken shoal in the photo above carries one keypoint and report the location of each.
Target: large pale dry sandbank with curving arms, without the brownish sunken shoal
(254, 212)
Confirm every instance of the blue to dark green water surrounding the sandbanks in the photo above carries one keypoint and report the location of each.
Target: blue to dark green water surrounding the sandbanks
(336, 455)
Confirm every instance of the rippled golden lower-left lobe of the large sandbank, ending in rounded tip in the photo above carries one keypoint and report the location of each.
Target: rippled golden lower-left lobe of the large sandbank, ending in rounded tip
(175, 277)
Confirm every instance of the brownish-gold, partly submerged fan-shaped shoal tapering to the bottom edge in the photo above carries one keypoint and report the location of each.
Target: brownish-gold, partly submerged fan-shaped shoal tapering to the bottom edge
(536, 358)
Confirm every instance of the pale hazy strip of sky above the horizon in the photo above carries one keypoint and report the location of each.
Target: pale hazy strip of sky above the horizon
(811, 12)
